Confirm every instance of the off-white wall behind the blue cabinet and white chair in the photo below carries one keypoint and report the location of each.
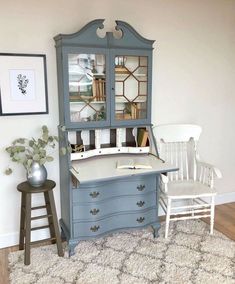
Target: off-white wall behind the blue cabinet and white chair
(193, 78)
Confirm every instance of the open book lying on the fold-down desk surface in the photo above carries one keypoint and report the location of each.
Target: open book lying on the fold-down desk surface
(135, 163)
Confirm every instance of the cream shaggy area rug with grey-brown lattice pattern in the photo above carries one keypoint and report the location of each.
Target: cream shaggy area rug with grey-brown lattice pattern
(189, 255)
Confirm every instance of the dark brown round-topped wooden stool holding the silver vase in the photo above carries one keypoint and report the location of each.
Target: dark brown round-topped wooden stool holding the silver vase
(25, 218)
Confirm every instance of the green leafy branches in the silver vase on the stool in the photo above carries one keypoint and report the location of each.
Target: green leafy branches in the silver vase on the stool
(25, 151)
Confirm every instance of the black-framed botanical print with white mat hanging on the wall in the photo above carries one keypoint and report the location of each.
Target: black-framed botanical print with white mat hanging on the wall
(23, 84)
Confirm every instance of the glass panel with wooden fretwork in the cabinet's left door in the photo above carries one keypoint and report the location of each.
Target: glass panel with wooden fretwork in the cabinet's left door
(87, 87)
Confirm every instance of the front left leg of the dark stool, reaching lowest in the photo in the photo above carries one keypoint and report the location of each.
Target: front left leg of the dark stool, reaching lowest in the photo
(27, 229)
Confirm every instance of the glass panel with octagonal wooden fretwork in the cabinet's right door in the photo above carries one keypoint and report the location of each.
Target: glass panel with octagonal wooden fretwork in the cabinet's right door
(131, 87)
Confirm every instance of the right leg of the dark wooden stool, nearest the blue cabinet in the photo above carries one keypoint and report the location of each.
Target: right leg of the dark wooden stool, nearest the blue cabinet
(54, 227)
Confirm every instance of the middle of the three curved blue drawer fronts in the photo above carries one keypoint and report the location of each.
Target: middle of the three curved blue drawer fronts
(97, 210)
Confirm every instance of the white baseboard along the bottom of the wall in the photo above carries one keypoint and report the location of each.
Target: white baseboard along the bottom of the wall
(12, 239)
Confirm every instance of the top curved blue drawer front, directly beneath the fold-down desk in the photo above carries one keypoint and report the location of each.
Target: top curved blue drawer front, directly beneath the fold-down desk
(118, 187)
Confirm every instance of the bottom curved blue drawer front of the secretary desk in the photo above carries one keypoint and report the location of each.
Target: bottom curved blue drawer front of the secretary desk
(121, 221)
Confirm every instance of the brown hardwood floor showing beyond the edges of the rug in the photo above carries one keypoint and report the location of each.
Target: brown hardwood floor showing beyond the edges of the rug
(224, 222)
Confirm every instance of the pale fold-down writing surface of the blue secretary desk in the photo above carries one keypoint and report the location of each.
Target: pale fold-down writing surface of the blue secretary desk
(105, 167)
